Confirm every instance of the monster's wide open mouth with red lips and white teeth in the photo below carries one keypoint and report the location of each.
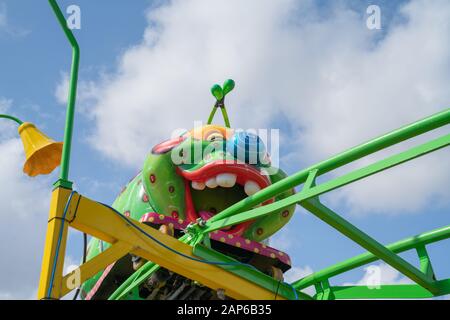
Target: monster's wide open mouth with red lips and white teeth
(218, 185)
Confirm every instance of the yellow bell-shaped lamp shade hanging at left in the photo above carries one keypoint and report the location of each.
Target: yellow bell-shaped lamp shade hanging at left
(43, 154)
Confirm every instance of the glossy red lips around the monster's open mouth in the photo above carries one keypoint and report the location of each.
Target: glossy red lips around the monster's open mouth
(244, 172)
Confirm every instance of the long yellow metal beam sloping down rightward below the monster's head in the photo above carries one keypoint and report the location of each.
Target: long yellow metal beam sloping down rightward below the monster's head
(101, 222)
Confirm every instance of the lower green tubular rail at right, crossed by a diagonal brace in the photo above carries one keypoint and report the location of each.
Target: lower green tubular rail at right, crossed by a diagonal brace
(366, 258)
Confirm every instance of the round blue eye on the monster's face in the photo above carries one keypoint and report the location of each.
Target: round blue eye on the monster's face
(247, 147)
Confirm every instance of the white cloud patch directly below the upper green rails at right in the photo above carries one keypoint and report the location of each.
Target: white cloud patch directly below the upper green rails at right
(404, 189)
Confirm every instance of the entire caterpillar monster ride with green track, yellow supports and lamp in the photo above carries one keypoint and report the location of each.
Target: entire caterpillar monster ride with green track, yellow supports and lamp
(196, 229)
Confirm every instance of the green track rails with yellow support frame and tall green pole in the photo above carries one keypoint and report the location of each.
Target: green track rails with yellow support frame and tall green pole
(192, 257)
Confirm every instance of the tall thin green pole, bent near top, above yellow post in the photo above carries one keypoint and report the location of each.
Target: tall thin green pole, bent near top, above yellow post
(65, 160)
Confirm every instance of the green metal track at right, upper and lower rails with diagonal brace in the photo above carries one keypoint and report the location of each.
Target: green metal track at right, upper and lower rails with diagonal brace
(425, 285)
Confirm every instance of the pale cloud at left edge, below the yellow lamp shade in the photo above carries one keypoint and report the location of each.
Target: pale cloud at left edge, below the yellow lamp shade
(23, 220)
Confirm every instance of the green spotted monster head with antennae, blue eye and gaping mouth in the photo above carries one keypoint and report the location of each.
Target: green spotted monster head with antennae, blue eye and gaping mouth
(204, 171)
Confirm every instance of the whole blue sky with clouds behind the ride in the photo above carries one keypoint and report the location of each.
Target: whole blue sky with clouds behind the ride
(333, 84)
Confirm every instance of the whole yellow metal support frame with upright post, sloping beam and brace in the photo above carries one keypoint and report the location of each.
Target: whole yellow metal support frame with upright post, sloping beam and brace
(103, 223)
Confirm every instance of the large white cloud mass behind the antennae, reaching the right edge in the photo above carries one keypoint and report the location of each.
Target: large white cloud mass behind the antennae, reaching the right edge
(334, 84)
